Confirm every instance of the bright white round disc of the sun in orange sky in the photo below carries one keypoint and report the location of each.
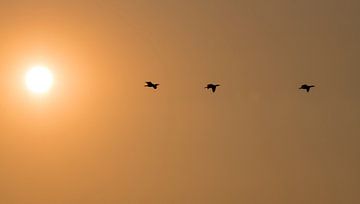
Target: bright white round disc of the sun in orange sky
(39, 79)
